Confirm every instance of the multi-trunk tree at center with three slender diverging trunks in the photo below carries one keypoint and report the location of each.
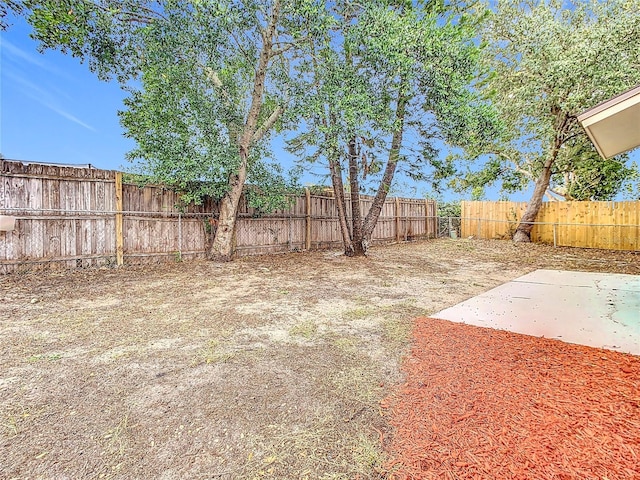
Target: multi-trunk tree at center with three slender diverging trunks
(385, 68)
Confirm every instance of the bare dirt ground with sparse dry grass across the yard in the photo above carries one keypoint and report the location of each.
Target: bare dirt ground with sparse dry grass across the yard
(267, 367)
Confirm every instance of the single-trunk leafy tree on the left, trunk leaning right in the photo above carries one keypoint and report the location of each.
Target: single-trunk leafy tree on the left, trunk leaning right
(210, 83)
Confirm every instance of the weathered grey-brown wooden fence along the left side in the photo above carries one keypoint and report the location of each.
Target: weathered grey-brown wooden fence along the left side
(80, 217)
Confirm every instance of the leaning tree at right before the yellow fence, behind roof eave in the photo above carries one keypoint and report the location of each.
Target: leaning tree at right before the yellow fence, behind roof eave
(550, 61)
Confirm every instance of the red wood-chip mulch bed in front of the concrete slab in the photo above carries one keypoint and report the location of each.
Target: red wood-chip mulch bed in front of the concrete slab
(482, 403)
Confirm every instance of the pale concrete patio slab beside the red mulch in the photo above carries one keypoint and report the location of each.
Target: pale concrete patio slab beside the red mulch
(594, 309)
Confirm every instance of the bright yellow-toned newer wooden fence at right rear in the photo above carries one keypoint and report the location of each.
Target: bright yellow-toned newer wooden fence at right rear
(608, 225)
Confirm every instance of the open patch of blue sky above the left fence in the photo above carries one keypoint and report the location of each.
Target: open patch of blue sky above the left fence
(53, 109)
